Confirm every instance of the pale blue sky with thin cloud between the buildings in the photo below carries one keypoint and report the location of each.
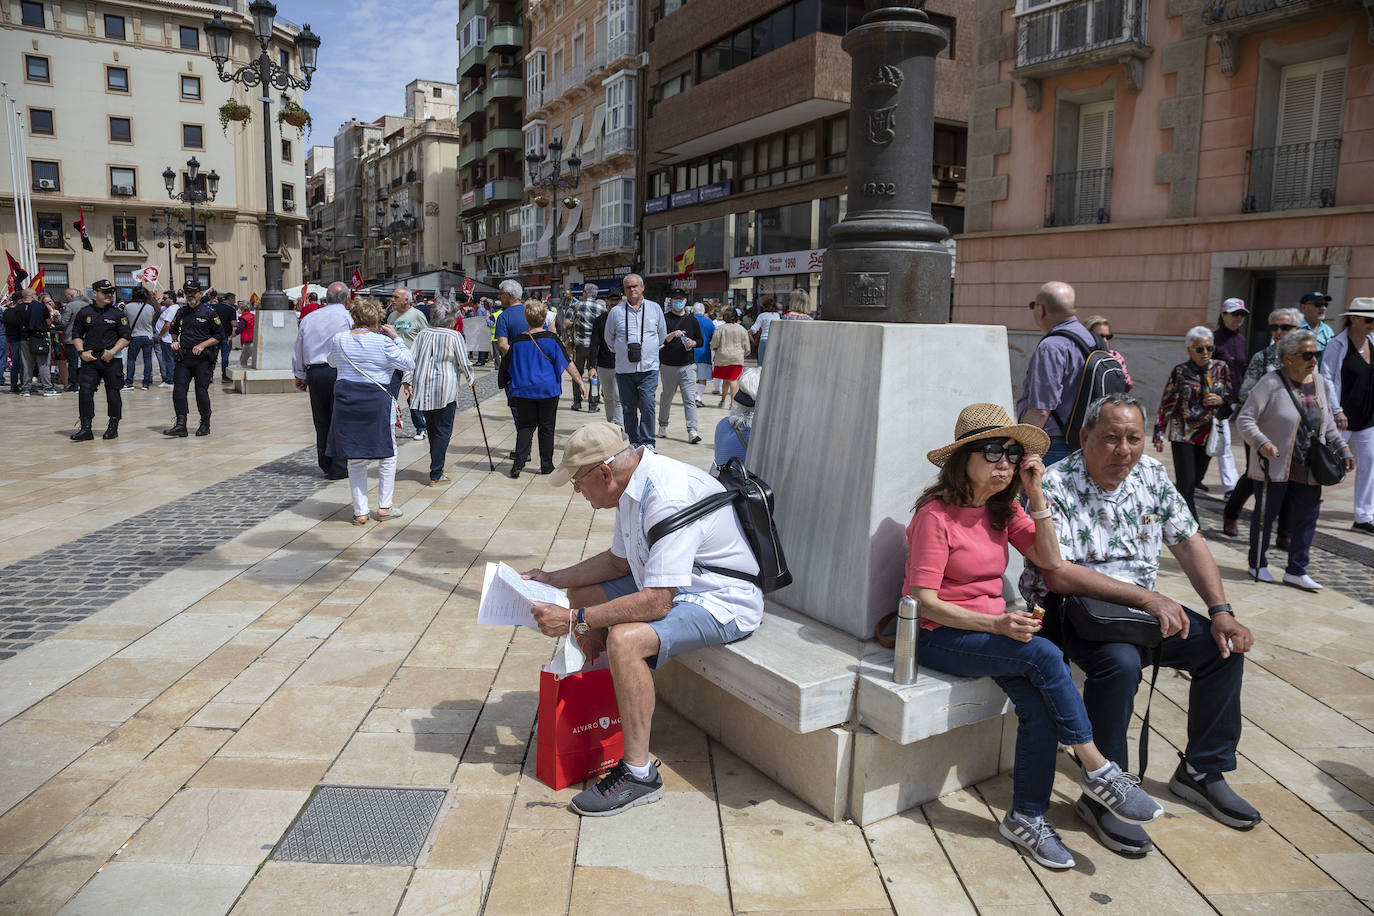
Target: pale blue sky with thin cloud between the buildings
(369, 51)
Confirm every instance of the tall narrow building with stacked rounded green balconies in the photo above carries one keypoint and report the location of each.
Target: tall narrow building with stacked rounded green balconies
(491, 168)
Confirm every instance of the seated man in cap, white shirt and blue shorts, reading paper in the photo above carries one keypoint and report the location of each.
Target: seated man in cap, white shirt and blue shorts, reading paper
(695, 587)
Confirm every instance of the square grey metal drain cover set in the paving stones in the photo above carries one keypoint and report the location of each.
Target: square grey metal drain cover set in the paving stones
(355, 826)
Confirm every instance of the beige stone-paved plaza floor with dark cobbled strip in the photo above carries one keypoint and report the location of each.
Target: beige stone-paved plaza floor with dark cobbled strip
(194, 638)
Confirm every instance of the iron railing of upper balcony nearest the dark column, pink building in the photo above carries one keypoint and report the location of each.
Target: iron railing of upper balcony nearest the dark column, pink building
(1077, 28)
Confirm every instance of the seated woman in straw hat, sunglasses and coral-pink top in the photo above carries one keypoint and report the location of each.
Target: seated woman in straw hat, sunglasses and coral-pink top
(957, 558)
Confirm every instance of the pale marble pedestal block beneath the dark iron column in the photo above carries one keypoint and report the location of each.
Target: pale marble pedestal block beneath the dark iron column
(848, 411)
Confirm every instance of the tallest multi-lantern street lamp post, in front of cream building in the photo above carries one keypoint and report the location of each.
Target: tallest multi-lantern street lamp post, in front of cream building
(266, 73)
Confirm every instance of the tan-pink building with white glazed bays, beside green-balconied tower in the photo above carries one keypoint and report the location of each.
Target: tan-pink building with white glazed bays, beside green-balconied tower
(582, 91)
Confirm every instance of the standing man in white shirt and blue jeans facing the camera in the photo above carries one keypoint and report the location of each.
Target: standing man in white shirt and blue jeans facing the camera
(637, 332)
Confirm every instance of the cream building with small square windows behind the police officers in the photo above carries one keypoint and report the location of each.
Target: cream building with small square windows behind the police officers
(113, 94)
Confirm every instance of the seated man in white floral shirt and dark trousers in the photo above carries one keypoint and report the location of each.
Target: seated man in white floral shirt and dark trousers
(1115, 510)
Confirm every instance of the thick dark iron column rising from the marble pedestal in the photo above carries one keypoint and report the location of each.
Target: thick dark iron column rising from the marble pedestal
(887, 260)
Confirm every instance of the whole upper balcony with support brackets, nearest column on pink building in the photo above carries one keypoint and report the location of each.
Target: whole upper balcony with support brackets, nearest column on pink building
(1082, 35)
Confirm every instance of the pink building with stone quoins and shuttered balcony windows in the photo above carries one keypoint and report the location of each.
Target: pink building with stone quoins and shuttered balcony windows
(1169, 154)
